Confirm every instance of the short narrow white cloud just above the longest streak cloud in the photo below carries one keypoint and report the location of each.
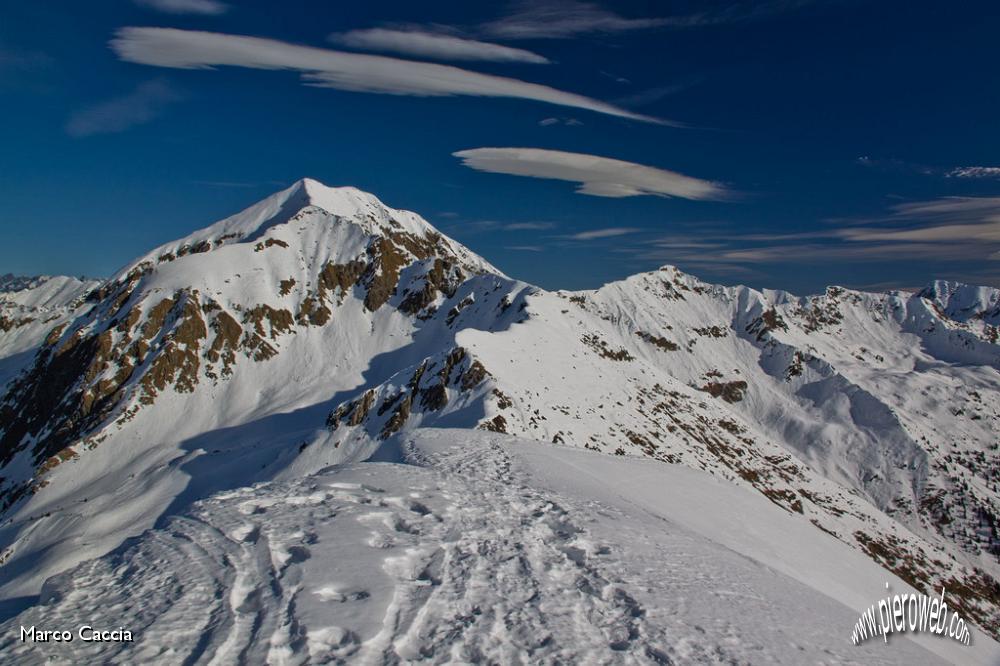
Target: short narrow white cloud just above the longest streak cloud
(434, 46)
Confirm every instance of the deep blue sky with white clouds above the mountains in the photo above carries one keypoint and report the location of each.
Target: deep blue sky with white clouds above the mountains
(784, 143)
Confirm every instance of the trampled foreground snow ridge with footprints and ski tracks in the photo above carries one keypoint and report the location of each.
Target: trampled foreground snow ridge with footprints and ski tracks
(462, 557)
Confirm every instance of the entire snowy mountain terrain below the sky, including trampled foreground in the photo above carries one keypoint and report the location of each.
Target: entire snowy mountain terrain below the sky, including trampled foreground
(320, 431)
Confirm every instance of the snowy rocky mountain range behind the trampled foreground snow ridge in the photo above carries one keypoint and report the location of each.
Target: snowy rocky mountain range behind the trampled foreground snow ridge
(320, 326)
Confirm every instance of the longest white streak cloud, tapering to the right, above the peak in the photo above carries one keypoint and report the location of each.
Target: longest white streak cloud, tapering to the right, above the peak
(356, 72)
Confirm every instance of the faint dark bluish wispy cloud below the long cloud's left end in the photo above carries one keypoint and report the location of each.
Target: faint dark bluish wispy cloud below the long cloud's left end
(138, 107)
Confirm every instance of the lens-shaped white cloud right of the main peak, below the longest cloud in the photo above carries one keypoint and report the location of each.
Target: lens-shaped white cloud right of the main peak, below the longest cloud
(598, 176)
